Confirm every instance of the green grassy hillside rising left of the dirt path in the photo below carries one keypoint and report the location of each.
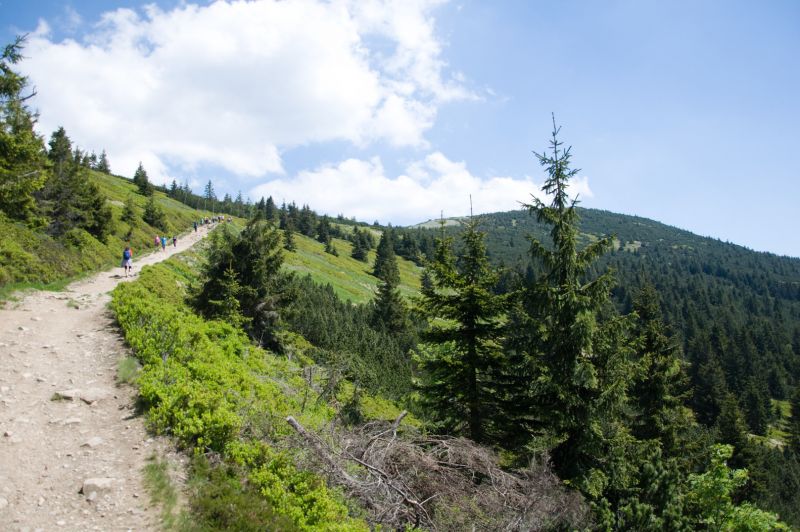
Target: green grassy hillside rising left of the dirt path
(31, 258)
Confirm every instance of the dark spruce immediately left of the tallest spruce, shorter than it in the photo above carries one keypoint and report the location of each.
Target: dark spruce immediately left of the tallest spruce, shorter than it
(465, 322)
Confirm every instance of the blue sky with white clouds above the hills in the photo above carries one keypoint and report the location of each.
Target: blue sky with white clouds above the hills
(686, 112)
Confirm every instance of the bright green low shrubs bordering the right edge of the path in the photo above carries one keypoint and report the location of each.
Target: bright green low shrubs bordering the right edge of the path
(202, 382)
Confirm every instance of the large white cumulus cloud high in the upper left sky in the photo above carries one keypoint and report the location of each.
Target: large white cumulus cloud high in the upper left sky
(235, 83)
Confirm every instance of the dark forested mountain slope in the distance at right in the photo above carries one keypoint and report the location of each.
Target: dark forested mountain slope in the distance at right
(729, 307)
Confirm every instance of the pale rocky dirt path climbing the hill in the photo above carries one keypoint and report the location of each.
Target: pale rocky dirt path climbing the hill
(72, 449)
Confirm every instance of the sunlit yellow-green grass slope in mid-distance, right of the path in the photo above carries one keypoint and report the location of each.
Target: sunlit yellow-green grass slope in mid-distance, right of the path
(351, 279)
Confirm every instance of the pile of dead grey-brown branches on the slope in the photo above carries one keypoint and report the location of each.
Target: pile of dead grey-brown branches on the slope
(442, 483)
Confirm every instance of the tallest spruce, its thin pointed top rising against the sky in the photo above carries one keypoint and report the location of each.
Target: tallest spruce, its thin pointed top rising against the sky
(574, 361)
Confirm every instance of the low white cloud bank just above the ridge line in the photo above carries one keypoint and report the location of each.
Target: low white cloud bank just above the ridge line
(360, 188)
